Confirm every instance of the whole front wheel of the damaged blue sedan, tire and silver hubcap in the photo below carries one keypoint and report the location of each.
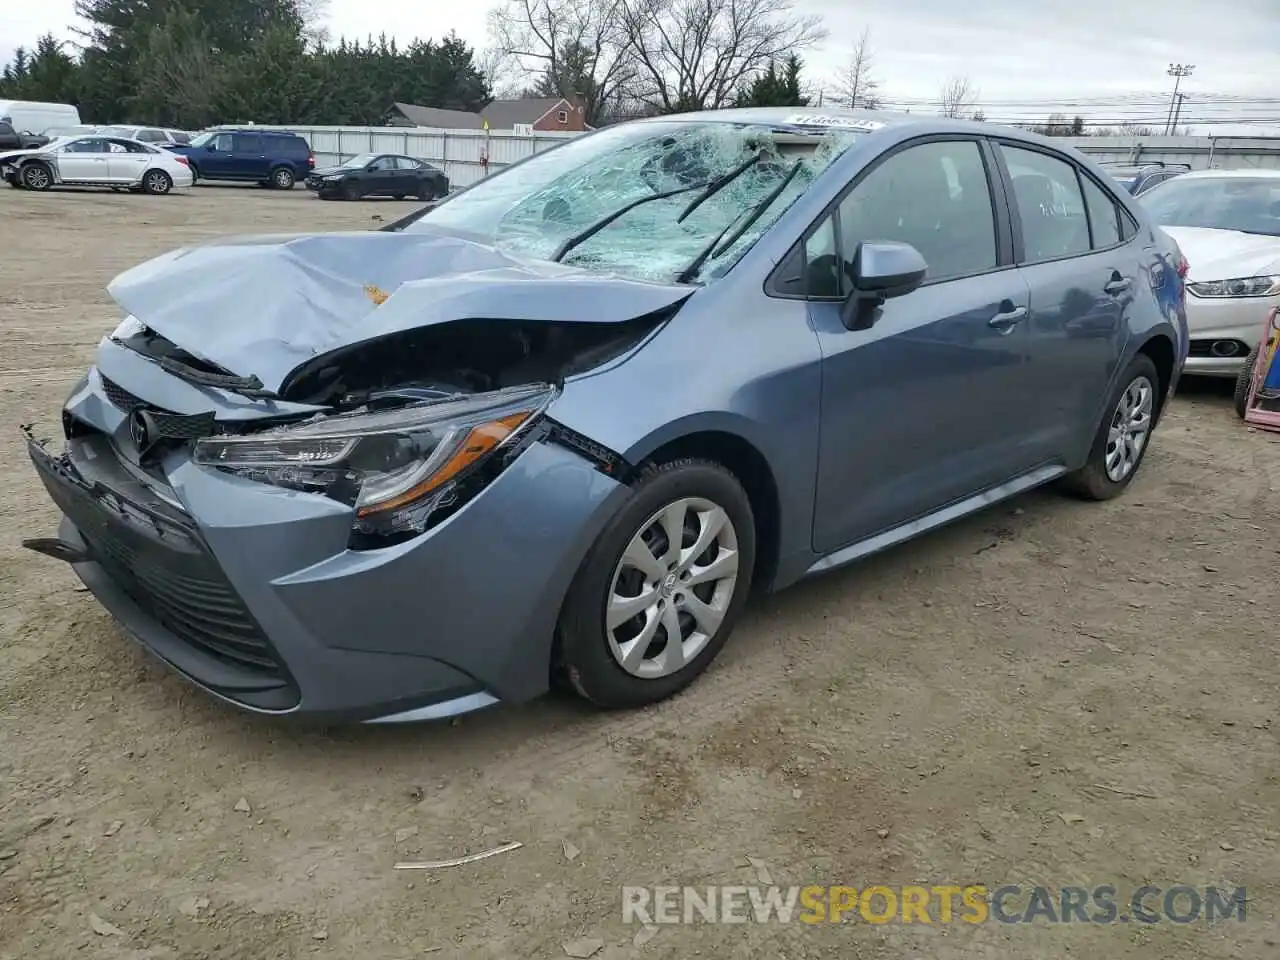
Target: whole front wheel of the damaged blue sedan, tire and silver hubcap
(660, 592)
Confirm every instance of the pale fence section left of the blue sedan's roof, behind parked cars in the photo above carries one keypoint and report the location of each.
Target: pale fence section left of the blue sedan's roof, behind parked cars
(459, 153)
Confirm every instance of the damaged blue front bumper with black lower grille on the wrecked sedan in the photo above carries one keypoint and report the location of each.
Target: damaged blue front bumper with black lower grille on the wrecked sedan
(252, 593)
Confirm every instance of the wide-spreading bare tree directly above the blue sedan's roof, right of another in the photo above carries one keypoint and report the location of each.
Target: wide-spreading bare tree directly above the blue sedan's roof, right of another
(698, 54)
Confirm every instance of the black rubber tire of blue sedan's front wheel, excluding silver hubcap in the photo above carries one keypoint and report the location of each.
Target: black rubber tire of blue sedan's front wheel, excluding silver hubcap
(584, 657)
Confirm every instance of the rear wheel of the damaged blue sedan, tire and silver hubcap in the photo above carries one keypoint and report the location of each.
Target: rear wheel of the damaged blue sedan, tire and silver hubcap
(1123, 436)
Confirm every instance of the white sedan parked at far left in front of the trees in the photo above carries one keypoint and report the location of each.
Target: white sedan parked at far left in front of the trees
(97, 162)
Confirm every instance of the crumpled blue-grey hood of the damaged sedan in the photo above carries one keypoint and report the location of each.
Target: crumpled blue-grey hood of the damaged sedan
(260, 307)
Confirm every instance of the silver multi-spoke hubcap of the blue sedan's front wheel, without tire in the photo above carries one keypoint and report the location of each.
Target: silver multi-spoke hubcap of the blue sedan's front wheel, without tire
(673, 588)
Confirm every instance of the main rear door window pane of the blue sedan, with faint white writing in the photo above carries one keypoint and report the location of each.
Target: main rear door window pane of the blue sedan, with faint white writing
(1049, 203)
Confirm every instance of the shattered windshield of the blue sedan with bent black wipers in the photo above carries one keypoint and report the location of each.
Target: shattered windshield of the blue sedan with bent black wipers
(676, 190)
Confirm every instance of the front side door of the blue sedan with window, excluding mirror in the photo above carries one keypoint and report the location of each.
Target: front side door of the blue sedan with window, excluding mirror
(924, 409)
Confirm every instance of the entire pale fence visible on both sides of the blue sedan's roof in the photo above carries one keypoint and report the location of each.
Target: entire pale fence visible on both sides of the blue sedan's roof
(463, 153)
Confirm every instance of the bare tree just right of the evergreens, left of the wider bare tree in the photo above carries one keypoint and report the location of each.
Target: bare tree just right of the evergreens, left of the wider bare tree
(573, 48)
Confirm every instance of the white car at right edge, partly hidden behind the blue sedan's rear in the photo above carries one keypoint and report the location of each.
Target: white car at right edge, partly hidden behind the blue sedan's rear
(1228, 226)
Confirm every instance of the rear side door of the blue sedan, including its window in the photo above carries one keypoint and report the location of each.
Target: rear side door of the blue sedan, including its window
(1069, 237)
